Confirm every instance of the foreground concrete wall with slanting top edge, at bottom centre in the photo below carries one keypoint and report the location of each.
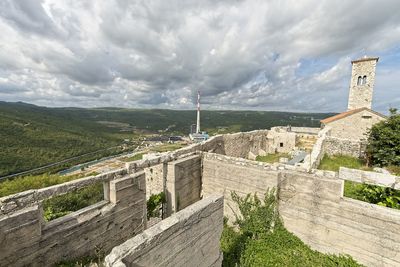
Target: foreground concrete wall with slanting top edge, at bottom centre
(187, 238)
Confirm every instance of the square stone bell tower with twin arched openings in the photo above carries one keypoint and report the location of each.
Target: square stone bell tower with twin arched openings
(362, 82)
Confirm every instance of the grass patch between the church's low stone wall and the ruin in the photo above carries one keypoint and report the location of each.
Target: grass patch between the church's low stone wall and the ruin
(333, 163)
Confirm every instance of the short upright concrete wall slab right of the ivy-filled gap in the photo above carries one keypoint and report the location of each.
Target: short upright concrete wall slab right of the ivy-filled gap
(183, 183)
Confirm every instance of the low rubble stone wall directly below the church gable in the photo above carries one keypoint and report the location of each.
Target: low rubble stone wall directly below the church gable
(340, 146)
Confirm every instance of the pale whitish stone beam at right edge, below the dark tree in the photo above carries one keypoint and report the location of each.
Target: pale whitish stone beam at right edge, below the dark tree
(374, 178)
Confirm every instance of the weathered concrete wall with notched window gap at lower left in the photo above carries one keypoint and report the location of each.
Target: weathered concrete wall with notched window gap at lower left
(26, 239)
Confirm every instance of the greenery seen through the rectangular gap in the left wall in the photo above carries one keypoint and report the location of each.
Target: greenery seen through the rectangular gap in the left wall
(62, 205)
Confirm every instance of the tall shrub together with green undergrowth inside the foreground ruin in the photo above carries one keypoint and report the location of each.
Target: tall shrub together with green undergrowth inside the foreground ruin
(262, 240)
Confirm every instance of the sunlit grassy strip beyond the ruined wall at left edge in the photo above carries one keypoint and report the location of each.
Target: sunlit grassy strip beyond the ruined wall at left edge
(20, 184)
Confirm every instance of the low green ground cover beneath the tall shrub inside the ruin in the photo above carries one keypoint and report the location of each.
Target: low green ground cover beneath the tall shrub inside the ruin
(278, 248)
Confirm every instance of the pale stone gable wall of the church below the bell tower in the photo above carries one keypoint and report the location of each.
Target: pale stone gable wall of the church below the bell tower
(354, 126)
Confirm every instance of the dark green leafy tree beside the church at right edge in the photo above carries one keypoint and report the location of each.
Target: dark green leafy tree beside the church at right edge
(383, 147)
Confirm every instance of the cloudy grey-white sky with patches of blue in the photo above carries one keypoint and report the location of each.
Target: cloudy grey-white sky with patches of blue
(261, 55)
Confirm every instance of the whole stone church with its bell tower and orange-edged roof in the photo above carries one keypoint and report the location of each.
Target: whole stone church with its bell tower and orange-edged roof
(355, 122)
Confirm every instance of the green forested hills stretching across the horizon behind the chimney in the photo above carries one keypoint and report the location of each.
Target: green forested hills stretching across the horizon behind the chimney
(32, 136)
